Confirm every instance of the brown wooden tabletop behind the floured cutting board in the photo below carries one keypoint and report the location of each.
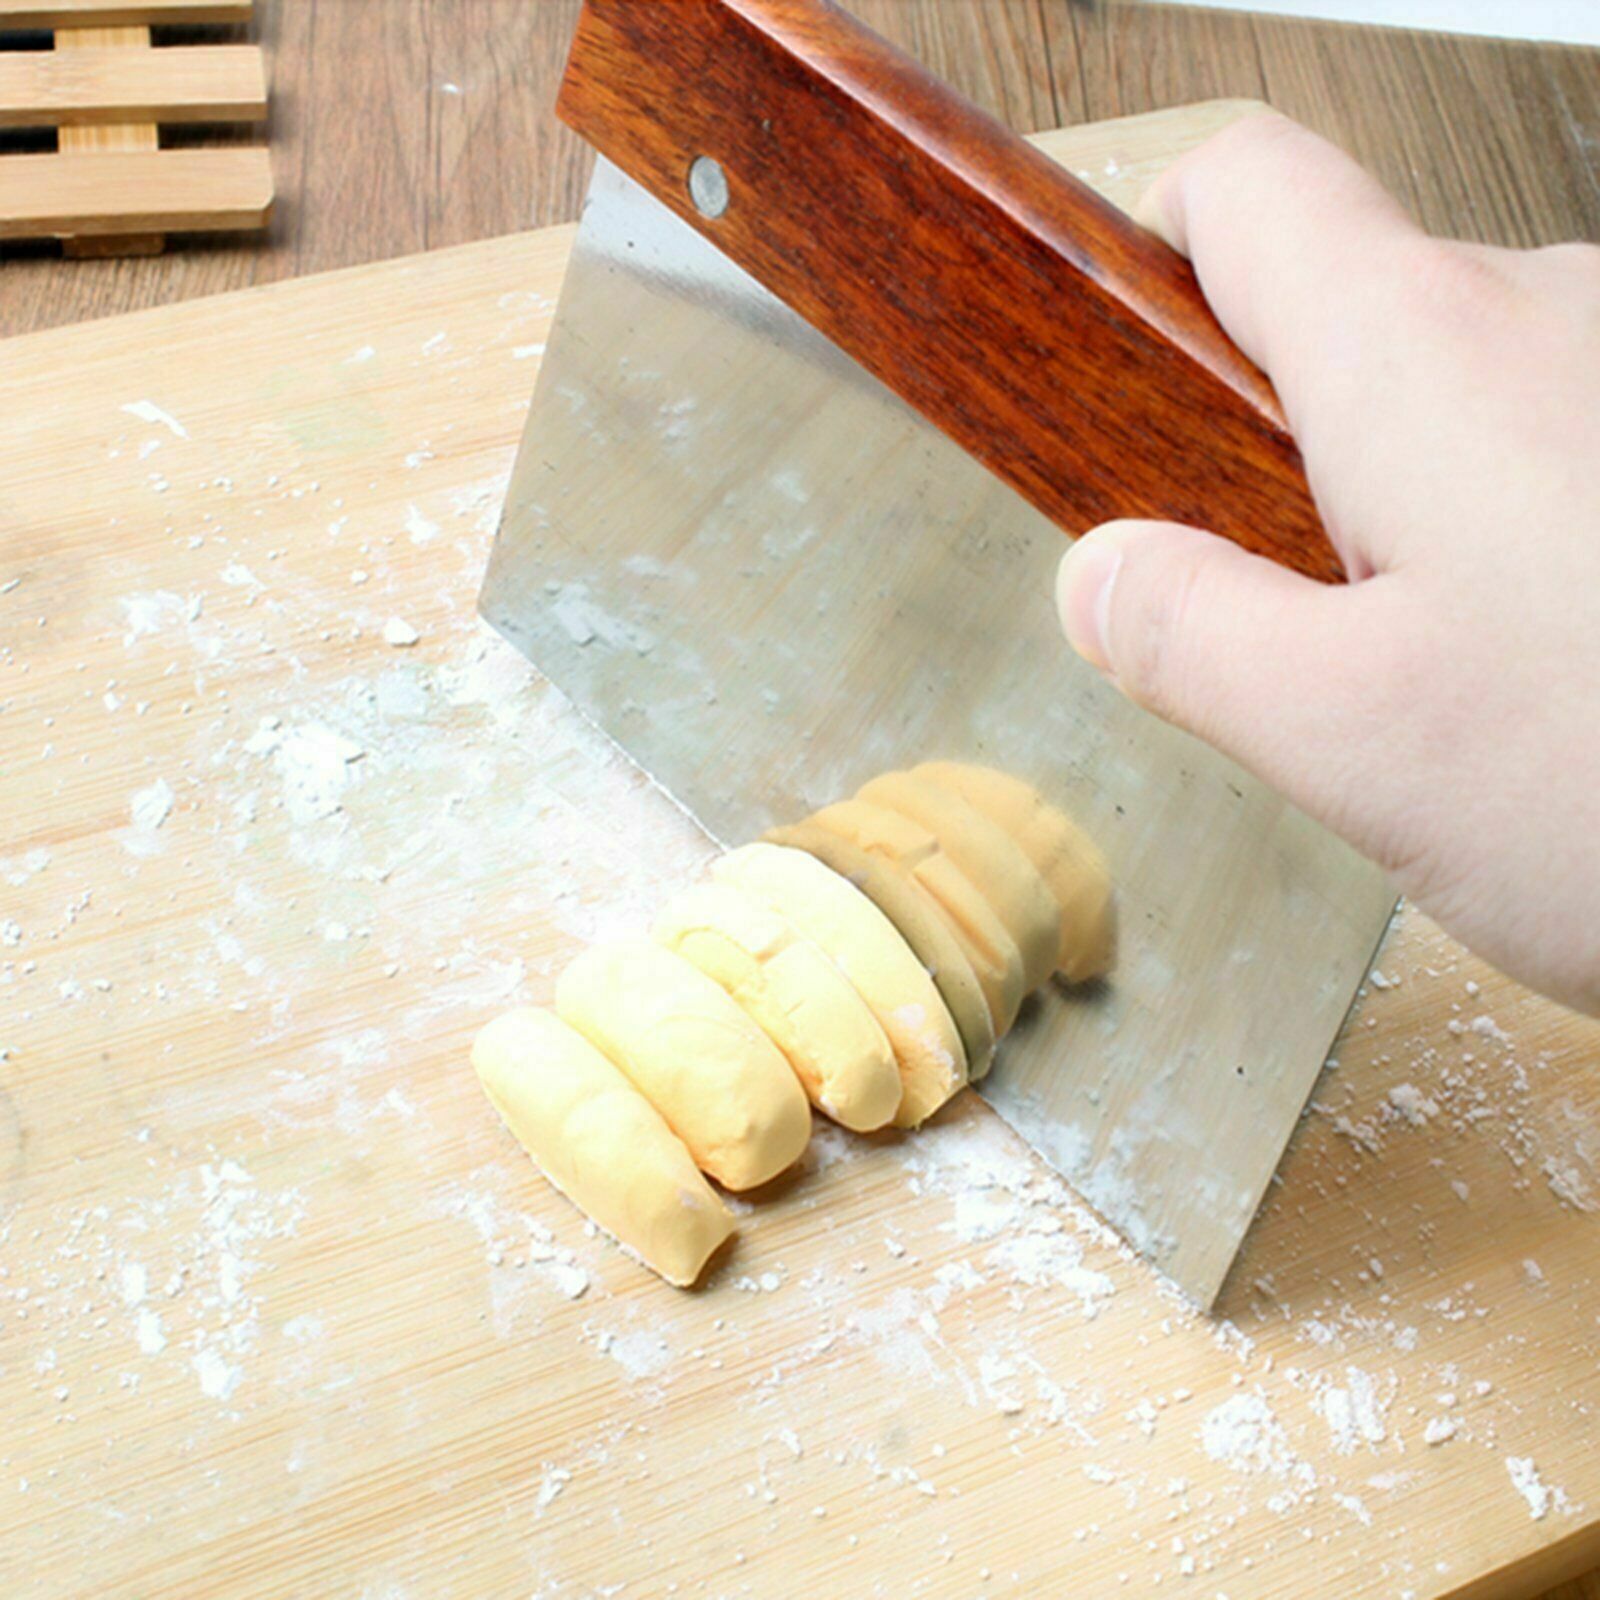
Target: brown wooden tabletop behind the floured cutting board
(444, 135)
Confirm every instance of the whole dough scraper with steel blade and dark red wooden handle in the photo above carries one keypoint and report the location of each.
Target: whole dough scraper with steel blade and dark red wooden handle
(838, 364)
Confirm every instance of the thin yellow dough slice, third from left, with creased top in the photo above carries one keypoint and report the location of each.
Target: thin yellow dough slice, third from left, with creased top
(796, 994)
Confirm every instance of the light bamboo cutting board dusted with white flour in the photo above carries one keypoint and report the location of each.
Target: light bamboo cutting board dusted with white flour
(284, 1311)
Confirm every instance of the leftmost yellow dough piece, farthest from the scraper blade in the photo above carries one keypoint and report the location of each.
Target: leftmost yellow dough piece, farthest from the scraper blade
(601, 1143)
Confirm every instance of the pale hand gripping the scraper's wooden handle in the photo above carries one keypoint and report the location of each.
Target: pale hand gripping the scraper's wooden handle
(1442, 711)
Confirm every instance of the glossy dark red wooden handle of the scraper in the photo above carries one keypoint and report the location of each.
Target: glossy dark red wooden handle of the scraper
(1055, 340)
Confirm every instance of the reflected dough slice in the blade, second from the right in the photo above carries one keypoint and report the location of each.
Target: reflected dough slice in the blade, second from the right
(990, 857)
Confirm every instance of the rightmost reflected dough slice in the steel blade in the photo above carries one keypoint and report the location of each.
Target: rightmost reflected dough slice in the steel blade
(1063, 854)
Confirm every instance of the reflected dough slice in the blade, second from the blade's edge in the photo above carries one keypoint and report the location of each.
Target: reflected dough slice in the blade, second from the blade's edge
(911, 849)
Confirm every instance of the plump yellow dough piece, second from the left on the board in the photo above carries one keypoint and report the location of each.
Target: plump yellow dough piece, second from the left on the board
(714, 1076)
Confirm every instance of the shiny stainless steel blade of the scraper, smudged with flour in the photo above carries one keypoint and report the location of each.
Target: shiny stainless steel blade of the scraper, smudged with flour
(769, 580)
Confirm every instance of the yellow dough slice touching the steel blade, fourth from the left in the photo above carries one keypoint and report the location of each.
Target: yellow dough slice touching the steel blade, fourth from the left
(879, 964)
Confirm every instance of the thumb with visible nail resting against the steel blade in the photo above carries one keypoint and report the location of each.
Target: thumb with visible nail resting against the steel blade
(1273, 670)
